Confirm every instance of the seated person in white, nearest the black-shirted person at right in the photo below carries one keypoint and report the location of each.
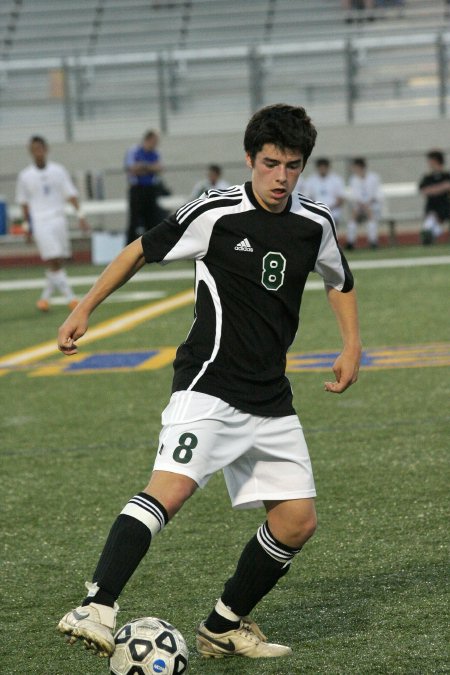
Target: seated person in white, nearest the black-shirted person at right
(366, 203)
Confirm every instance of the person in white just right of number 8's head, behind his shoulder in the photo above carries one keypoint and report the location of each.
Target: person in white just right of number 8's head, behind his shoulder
(327, 187)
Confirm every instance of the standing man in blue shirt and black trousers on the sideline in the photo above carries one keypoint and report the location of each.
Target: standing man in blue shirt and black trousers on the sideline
(143, 168)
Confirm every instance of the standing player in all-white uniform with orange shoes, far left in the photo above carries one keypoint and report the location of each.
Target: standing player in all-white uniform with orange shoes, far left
(42, 191)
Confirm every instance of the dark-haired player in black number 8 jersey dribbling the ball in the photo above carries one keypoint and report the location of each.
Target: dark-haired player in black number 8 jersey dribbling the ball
(231, 408)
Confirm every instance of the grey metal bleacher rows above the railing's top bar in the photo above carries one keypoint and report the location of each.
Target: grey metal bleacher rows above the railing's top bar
(64, 28)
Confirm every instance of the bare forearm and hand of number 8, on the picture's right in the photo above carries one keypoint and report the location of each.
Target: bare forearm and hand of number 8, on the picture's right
(346, 366)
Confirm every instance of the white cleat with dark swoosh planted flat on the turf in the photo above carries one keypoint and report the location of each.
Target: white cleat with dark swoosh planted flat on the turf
(242, 641)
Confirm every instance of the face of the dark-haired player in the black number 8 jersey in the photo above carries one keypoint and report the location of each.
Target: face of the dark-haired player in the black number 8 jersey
(275, 173)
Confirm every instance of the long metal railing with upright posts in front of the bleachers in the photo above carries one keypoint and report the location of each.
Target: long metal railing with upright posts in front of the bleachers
(340, 80)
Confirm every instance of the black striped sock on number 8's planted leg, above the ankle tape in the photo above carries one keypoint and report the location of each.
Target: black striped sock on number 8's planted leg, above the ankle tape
(263, 562)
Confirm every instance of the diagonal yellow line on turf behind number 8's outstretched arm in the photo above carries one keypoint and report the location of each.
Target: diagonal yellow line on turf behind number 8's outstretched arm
(120, 324)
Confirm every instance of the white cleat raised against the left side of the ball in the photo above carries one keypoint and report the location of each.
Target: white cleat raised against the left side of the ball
(93, 624)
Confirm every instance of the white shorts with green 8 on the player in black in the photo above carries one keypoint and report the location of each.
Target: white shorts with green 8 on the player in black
(263, 458)
